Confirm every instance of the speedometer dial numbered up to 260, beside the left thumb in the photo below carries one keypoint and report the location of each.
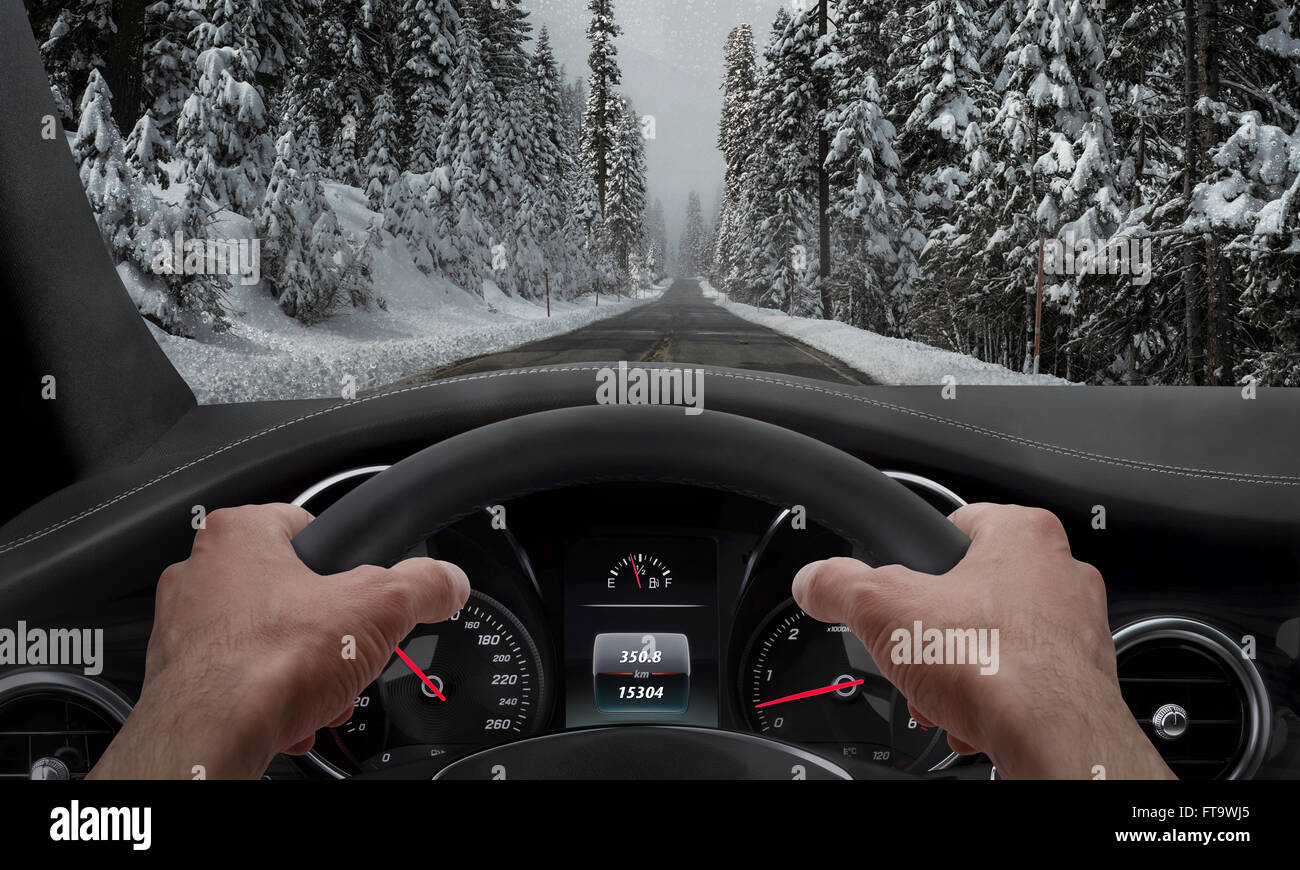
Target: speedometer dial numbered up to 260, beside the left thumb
(450, 689)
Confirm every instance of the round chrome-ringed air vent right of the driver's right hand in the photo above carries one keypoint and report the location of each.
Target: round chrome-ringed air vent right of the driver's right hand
(1197, 696)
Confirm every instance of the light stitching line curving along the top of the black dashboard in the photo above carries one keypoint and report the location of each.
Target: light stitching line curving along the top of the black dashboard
(1241, 478)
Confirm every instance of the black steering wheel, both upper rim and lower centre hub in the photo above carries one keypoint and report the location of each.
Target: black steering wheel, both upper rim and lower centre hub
(383, 518)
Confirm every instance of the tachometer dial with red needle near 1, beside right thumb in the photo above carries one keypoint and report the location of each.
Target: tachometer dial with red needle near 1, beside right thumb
(814, 685)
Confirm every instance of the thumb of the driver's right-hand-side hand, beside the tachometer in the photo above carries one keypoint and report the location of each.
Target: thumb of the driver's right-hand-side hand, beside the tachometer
(847, 591)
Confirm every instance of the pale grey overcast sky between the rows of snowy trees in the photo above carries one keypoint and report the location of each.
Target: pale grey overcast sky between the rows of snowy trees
(671, 54)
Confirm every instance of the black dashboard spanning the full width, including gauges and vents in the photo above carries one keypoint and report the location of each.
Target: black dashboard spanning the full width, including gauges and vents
(1190, 514)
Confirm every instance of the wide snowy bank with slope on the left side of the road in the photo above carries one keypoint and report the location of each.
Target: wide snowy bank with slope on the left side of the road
(428, 323)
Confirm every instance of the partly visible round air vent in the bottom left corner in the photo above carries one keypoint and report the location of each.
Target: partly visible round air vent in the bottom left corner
(57, 725)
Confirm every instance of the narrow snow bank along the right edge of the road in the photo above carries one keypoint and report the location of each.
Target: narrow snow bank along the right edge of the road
(889, 361)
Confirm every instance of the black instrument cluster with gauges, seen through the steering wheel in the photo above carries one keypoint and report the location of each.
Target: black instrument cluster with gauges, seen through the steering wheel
(629, 605)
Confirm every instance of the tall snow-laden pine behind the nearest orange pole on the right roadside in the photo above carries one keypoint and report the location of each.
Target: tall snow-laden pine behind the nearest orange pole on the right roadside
(1051, 176)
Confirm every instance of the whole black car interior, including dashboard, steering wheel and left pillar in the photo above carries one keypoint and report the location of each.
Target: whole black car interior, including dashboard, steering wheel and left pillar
(606, 542)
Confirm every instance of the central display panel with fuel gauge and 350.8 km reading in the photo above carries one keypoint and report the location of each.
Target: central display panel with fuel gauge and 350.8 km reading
(642, 631)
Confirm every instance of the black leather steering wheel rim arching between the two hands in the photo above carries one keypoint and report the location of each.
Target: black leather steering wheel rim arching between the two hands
(383, 518)
